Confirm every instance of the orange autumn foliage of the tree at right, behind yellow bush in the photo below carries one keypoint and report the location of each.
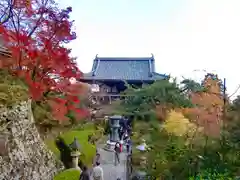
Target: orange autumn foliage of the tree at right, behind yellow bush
(209, 108)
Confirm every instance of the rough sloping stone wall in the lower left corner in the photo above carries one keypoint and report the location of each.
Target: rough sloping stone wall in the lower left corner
(23, 154)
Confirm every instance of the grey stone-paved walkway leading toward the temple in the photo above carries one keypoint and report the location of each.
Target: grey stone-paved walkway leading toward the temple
(112, 172)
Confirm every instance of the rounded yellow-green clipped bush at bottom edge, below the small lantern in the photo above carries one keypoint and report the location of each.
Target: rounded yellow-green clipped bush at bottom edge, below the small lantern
(70, 174)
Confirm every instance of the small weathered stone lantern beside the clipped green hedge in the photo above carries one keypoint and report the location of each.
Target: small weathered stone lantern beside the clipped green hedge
(75, 147)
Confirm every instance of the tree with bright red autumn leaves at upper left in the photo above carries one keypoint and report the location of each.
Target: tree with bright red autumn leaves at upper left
(35, 38)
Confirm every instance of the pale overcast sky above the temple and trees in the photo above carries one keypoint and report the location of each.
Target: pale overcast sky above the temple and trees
(183, 35)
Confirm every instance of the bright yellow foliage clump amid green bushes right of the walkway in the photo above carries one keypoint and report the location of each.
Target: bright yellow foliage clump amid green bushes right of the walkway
(178, 125)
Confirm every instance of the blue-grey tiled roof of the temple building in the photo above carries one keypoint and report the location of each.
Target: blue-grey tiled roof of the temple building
(111, 68)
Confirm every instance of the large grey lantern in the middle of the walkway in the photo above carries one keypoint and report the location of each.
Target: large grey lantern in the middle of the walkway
(114, 135)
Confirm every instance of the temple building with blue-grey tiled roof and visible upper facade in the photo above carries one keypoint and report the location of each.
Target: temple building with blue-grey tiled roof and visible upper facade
(109, 74)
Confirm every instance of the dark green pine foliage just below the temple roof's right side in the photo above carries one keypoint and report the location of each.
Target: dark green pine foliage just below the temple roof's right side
(142, 102)
